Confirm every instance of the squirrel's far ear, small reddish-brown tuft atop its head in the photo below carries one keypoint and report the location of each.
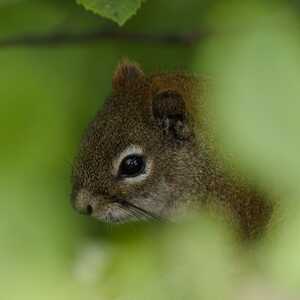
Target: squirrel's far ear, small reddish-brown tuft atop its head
(126, 73)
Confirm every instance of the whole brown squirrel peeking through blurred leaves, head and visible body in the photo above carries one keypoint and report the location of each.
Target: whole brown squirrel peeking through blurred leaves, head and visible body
(148, 155)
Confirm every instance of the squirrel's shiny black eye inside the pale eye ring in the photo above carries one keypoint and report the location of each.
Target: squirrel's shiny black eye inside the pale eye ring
(132, 165)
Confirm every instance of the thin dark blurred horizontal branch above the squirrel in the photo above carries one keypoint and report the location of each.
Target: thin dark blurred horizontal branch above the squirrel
(64, 38)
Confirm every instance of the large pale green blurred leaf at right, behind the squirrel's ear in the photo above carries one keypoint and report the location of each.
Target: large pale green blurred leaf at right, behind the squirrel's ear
(256, 98)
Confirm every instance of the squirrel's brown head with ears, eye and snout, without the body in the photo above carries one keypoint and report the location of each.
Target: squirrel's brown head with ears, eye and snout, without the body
(137, 158)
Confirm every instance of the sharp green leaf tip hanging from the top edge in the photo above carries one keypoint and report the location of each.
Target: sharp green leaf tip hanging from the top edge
(118, 11)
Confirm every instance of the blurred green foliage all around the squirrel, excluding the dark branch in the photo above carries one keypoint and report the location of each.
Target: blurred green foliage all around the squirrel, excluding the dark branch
(48, 95)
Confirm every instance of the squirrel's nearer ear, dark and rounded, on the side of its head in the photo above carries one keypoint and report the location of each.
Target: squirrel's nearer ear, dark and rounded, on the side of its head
(168, 108)
